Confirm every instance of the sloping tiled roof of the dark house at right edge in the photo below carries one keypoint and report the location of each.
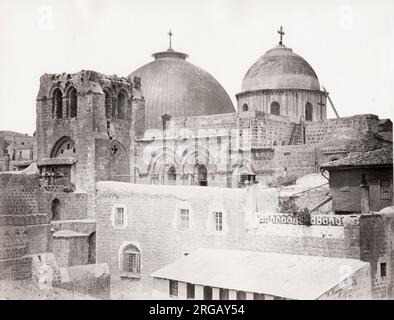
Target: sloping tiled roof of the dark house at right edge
(378, 157)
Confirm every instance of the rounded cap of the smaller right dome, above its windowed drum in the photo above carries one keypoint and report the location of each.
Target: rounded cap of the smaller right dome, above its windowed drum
(280, 68)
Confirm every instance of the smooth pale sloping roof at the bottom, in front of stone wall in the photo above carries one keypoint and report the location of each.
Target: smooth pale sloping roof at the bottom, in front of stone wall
(283, 275)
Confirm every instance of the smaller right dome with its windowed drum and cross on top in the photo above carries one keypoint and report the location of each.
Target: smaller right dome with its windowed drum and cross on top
(282, 83)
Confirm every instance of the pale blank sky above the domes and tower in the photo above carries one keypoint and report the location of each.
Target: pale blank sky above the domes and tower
(349, 44)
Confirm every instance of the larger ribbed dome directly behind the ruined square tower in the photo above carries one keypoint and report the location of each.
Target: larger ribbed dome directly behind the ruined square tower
(173, 86)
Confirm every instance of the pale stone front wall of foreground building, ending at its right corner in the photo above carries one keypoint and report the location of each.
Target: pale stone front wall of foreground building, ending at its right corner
(150, 226)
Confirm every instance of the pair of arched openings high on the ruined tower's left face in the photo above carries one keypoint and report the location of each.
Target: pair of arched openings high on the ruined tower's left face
(71, 109)
